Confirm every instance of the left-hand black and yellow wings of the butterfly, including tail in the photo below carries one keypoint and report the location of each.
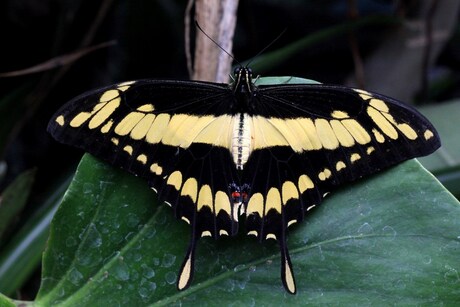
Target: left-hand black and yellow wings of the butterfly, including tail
(161, 131)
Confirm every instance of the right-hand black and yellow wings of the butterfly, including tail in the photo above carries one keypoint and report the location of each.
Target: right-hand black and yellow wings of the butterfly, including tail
(309, 139)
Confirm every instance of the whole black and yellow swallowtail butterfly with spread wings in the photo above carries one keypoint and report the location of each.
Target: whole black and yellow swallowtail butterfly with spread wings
(214, 152)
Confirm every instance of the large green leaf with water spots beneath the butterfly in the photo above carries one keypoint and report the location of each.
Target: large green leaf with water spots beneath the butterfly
(393, 238)
